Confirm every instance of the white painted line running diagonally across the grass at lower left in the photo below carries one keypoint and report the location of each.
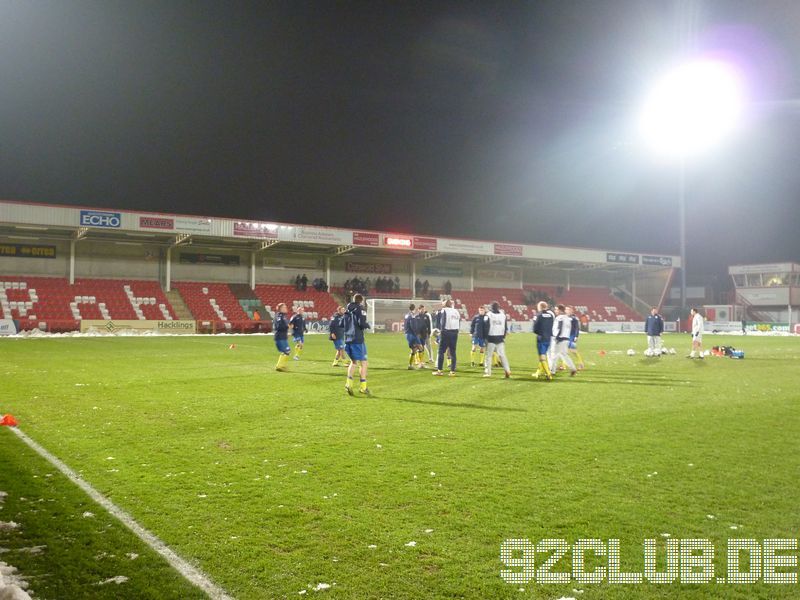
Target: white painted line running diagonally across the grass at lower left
(191, 573)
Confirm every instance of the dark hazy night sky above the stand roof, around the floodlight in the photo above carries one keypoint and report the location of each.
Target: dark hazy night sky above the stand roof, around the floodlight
(494, 120)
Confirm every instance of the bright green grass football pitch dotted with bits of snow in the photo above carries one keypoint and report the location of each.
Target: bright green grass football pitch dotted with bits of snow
(280, 485)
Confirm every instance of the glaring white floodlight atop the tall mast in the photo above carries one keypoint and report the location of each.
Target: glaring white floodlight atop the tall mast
(693, 108)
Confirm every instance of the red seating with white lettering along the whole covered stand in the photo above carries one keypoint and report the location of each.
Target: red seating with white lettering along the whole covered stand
(61, 306)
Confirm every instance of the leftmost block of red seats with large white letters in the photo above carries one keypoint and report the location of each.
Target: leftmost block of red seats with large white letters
(61, 306)
